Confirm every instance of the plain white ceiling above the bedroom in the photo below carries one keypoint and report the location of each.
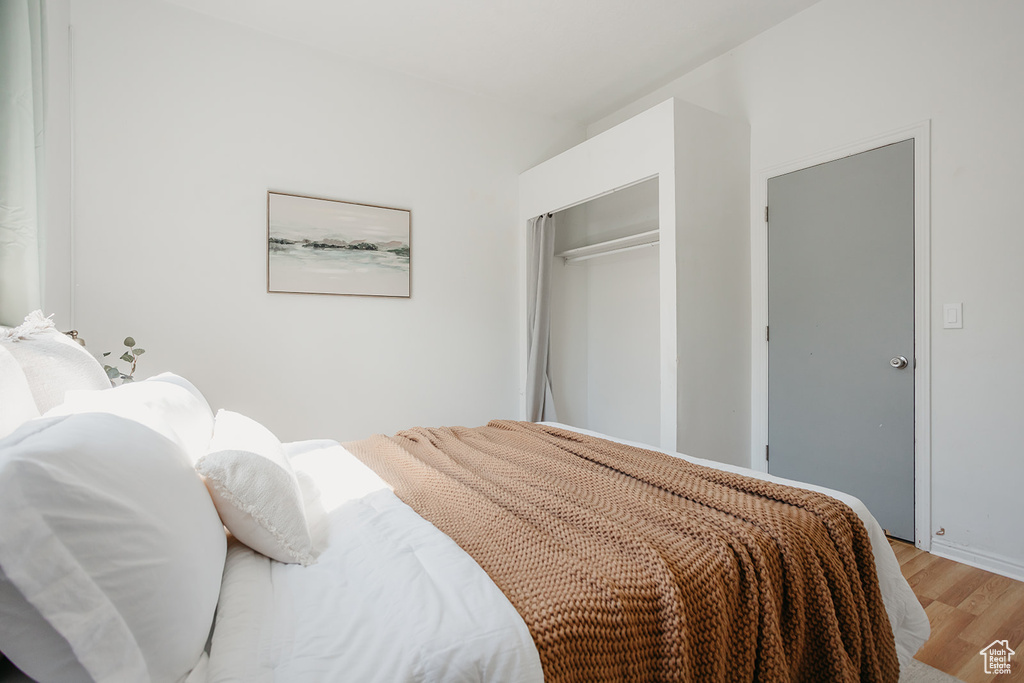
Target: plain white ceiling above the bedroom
(577, 60)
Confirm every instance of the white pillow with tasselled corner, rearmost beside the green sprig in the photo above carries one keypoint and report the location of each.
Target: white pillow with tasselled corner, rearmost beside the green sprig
(53, 363)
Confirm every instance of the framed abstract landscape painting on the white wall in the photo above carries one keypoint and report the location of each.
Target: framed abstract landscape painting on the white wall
(318, 246)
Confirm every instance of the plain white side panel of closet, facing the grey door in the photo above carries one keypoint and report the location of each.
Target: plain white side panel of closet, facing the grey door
(713, 285)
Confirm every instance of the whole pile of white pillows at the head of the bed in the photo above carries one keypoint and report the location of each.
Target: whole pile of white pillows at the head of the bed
(115, 503)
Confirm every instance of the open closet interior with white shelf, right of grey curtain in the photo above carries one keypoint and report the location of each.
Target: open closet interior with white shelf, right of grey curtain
(605, 344)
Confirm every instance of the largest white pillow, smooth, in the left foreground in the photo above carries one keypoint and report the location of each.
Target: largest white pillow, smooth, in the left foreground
(112, 538)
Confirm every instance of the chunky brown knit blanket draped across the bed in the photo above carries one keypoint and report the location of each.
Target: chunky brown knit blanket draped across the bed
(631, 566)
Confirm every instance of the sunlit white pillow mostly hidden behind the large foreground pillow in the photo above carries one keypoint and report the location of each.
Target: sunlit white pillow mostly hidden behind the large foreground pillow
(167, 404)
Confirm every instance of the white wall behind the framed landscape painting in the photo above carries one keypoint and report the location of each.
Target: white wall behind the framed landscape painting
(183, 123)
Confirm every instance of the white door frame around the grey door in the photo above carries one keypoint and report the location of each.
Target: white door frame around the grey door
(921, 134)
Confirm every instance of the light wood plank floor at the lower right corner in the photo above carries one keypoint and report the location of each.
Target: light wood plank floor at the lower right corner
(968, 609)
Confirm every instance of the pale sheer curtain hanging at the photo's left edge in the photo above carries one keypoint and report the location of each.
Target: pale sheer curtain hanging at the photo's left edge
(22, 119)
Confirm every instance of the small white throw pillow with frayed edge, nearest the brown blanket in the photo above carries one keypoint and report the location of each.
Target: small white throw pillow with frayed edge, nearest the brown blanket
(255, 490)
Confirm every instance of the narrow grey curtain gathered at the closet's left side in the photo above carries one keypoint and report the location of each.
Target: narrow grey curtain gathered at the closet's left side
(541, 249)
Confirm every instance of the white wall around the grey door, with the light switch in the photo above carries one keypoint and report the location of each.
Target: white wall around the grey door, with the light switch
(846, 70)
